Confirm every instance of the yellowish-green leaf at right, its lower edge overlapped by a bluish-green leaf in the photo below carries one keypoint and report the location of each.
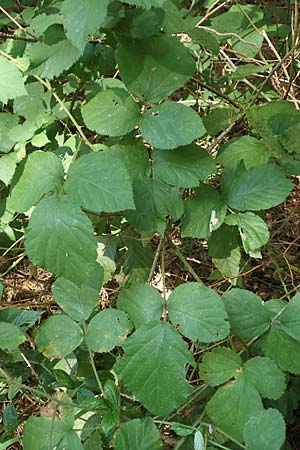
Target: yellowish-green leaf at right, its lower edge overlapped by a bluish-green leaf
(246, 148)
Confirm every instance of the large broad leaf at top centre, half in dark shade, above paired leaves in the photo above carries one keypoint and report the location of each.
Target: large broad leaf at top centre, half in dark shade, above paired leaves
(152, 69)
